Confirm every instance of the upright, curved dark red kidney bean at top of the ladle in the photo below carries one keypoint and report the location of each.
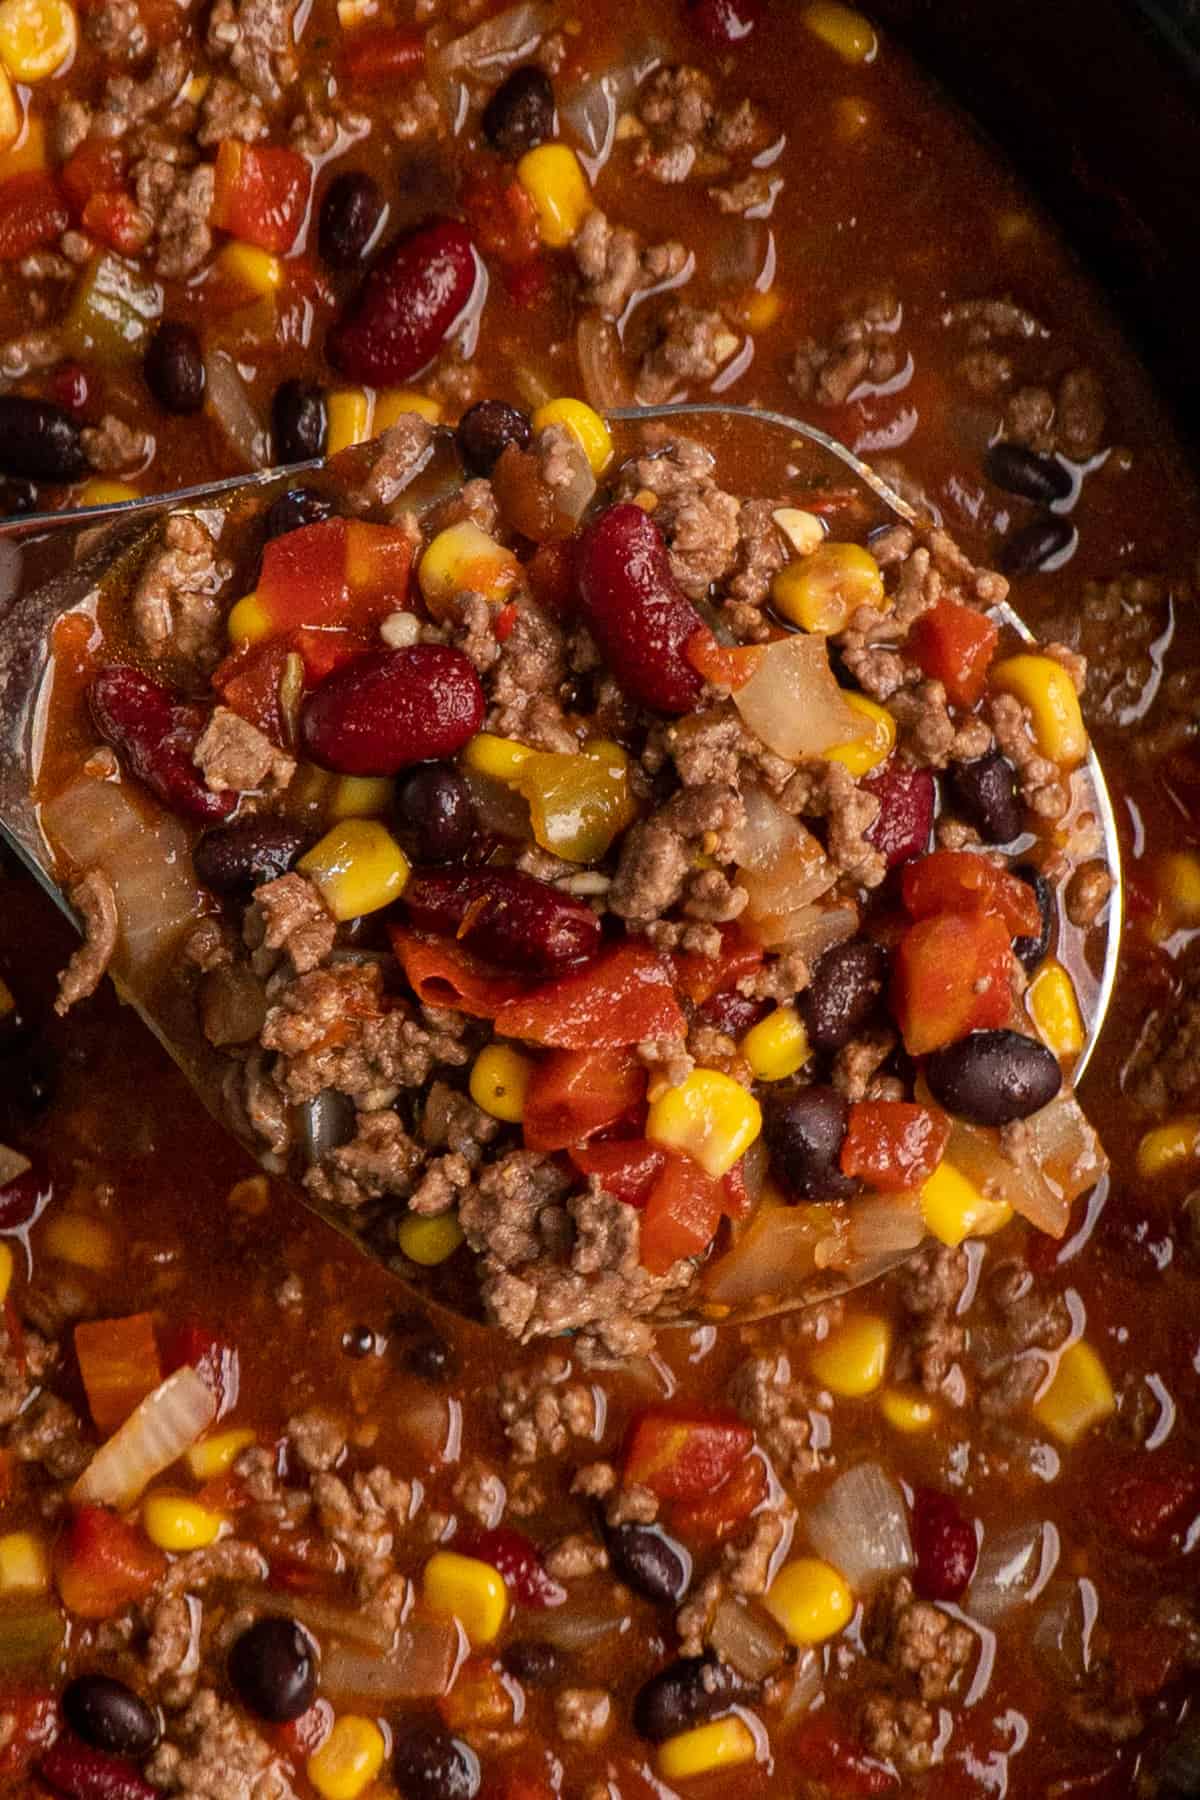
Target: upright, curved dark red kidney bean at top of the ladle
(636, 609)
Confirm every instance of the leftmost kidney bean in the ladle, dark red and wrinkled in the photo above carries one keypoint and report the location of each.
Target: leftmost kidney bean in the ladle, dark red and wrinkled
(156, 735)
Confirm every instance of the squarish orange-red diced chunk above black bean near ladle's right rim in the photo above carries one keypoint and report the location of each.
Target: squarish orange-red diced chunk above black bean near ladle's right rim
(951, 978)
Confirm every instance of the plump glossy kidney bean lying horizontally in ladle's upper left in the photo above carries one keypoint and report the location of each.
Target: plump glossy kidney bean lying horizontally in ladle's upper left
(393, 708)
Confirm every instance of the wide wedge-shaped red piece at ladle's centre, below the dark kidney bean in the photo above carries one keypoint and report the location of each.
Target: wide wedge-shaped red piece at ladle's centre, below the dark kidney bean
(622, 998)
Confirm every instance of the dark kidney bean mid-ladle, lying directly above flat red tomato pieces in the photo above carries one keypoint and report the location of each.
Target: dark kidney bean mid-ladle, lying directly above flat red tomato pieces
(506, 917)
